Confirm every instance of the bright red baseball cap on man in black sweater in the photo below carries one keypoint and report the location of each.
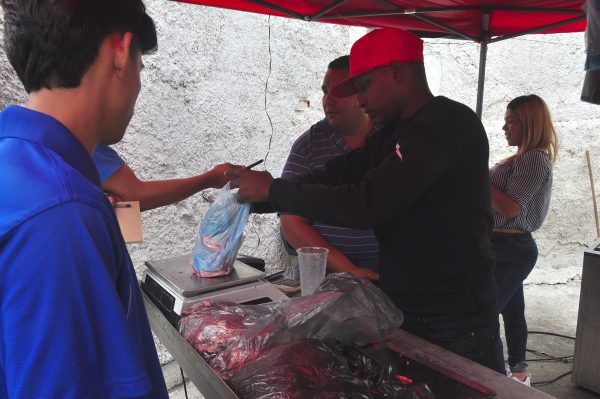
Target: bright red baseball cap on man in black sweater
(378, 48)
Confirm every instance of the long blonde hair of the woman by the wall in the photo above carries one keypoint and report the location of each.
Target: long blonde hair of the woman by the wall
(538, 130)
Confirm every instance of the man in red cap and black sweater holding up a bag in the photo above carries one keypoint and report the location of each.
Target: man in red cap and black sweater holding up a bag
(421, 182)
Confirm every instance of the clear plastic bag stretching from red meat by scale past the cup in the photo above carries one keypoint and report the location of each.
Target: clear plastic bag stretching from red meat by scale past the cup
(344, 308)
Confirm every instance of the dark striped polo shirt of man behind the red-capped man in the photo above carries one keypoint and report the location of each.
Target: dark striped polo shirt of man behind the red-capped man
(311, 151)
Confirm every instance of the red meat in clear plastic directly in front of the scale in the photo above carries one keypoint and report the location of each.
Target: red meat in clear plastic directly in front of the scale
(228, 335)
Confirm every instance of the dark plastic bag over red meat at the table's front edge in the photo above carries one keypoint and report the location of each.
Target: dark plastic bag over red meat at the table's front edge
(311, 368)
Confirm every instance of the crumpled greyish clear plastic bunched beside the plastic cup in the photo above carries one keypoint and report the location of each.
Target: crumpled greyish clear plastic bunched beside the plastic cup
(360, 314)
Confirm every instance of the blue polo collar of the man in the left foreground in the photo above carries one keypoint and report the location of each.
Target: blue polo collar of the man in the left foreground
(25, 124)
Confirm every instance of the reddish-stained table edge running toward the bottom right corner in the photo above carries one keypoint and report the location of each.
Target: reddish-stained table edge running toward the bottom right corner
(464, 370)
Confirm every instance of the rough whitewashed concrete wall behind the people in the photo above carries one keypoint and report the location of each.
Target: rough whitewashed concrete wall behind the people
(236, 87)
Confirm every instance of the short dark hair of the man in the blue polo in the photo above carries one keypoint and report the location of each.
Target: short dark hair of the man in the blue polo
(52, 43)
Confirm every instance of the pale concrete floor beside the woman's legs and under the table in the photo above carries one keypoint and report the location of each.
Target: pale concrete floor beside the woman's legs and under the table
(551, 308)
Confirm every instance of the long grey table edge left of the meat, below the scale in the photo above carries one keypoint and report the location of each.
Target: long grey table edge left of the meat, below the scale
(194, 366)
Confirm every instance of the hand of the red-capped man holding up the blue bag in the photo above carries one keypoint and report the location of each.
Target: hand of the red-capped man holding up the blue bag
(253, 186)
